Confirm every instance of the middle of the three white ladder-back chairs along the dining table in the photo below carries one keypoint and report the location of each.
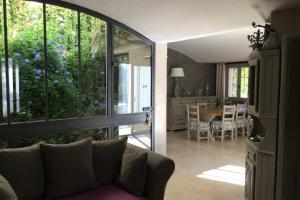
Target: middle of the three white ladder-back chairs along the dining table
(227, 125)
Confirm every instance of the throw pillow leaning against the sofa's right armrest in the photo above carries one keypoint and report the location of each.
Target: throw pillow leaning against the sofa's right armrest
(133, 171)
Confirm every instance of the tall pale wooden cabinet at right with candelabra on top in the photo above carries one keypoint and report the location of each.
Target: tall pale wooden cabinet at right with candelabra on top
(263, 107)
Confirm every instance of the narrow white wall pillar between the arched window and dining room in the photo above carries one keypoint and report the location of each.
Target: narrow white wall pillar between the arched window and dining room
(160, 98)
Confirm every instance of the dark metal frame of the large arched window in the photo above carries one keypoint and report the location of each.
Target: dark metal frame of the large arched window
(13, 130)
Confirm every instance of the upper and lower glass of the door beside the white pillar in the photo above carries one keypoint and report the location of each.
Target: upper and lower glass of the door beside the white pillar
(132, 86)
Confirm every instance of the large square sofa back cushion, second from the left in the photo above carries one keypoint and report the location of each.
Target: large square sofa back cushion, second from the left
(69, 168)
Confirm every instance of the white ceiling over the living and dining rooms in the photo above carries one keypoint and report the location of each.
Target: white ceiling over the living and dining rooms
(205, 30)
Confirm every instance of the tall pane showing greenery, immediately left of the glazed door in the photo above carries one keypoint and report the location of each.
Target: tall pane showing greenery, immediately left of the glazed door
(93, 66)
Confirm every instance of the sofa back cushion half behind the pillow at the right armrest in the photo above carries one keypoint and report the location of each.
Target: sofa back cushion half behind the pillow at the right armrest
(107, 158)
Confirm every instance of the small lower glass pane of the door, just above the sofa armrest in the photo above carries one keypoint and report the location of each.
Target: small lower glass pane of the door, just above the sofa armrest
(138, 134)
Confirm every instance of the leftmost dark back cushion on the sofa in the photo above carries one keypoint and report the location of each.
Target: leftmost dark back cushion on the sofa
(23, 168)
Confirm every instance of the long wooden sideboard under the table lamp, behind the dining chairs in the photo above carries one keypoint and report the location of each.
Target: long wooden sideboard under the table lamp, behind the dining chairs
(176, 110)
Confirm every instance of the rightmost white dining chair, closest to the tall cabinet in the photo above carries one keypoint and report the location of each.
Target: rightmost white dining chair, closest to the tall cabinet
(240, 119)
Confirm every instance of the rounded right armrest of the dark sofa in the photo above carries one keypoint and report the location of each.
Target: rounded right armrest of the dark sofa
(159, 171)
